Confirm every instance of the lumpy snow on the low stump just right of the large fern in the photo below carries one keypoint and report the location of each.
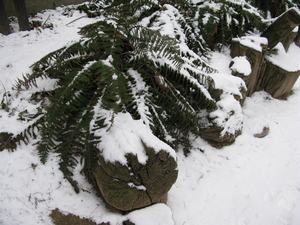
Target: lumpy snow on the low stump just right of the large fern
(229, 113)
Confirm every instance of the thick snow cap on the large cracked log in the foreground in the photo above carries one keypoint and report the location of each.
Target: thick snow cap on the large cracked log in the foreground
(126, 136)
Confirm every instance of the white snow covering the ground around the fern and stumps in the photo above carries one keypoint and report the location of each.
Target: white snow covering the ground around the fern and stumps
(252, 182)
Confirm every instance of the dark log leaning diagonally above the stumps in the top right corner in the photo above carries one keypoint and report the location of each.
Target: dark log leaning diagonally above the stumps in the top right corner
(282, 27)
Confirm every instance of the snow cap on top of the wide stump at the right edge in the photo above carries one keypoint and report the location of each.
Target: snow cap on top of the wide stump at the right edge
(288, 61)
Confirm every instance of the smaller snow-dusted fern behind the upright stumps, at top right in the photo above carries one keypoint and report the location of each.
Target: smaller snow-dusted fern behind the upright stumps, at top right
(218, 23)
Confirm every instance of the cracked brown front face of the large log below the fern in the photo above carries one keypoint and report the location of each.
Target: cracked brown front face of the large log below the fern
(135, 185)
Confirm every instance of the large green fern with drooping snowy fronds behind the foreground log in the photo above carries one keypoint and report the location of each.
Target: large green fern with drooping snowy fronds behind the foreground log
(100, 76)
